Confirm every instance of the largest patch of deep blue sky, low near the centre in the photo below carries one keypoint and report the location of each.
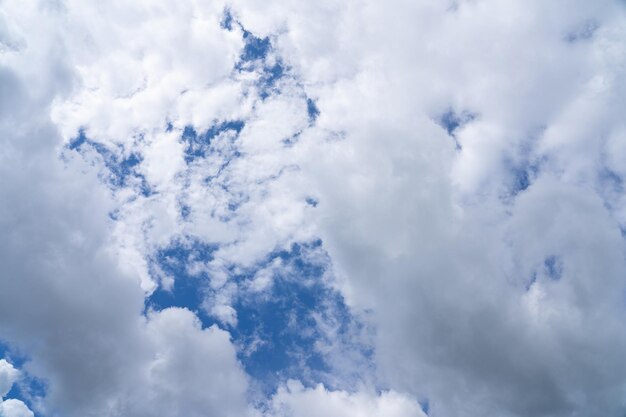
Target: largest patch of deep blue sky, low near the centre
(285, 321)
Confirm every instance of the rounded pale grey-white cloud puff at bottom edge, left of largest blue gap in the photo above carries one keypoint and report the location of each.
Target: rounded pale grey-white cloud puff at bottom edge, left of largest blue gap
(192, 372)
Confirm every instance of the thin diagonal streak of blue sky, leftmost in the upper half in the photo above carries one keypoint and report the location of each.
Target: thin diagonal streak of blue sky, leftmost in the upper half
(121, 169)
